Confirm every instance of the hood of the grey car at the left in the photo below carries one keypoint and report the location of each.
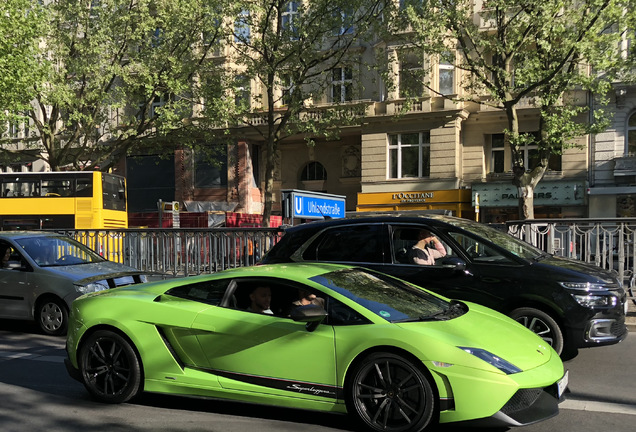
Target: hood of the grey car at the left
(92, 272)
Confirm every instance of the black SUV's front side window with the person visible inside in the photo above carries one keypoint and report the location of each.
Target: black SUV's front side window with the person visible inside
(404, 239)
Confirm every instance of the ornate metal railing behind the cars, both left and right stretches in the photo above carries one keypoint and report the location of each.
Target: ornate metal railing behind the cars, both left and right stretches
(607, 243)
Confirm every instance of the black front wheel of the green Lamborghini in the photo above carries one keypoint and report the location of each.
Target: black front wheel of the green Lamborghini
(387, 392)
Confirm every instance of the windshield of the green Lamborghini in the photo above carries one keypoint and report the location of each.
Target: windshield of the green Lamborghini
(386, 297)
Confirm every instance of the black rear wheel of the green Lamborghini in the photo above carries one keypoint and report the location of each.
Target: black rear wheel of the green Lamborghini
(109, 367)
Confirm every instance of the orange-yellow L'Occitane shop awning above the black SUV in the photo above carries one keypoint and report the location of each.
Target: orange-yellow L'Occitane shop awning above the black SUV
(457, 201)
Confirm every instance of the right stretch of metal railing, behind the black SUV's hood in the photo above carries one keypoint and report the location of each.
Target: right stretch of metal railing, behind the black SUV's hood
(607, 243)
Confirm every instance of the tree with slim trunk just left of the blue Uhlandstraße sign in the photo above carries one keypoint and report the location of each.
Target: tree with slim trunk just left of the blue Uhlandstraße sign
(290, 50)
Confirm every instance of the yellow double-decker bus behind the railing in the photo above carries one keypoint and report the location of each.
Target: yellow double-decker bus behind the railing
(62, 200)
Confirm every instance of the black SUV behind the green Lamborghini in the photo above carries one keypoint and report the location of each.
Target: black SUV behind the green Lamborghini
(569, 303)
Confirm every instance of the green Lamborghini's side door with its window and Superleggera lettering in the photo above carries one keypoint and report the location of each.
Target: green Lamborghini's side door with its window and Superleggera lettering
(266, 353)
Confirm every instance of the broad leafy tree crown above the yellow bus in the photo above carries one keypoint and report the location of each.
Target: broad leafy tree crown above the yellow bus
(119, 79)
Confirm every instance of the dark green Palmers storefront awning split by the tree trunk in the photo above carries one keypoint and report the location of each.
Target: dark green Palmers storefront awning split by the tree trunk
(499, 201)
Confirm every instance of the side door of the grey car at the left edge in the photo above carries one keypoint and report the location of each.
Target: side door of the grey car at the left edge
(15, 285)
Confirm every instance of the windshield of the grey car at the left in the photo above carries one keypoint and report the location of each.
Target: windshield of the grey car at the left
(57, 251)
